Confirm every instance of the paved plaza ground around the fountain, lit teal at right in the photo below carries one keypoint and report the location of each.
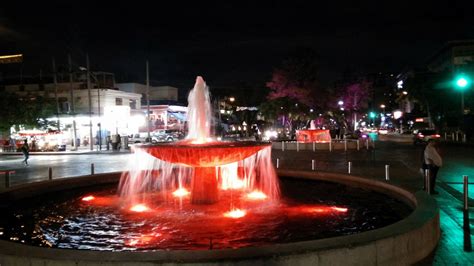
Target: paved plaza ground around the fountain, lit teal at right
(399, 153)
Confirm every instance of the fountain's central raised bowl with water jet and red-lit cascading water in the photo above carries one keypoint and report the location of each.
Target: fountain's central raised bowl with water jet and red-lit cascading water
(211, 164)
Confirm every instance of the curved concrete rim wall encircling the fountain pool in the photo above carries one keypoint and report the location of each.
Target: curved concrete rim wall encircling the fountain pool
(402, 243)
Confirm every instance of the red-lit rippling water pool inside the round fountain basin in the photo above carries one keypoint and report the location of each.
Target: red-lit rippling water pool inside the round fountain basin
(308, 210)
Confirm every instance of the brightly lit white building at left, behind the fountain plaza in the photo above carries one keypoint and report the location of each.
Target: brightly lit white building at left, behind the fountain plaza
(104, 107)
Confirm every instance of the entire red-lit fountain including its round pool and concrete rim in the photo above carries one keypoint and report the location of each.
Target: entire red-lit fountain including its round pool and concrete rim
(211, 202)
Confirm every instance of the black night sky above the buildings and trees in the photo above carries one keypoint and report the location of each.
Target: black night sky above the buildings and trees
(230, 43)
